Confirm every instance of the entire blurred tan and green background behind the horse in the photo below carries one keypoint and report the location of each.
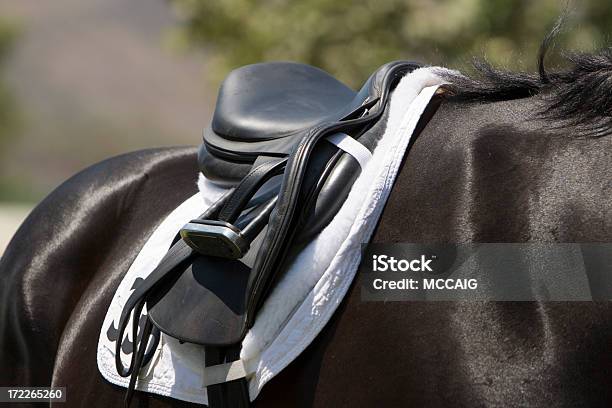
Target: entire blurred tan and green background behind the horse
(82, 81)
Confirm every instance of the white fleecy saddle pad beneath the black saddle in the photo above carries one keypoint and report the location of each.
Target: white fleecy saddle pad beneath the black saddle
(310, 290)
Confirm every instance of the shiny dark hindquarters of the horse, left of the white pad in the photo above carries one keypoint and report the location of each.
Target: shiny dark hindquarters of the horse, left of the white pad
(64, 263)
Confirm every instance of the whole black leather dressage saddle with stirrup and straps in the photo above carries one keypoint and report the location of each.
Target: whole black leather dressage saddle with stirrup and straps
(278, 140)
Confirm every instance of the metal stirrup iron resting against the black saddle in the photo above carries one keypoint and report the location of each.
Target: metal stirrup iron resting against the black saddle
(215, 238)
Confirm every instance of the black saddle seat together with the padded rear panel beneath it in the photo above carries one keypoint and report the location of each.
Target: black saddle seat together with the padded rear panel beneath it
(262, 109)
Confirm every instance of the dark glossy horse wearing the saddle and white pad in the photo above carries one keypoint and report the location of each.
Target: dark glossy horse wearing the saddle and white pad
(507, 157)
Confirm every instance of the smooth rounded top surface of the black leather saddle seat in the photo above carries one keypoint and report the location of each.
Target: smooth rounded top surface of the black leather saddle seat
(267, 101)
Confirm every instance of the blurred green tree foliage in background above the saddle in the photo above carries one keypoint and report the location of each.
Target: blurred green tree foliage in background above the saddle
(351, 38)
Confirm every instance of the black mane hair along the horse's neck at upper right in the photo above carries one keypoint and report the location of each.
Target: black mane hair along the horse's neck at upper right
(579, 96)
